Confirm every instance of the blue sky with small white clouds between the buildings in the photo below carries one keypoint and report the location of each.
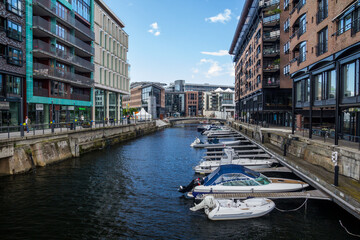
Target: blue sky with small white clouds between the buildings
(180, 39)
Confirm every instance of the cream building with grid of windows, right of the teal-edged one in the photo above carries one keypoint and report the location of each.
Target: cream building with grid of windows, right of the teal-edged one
(111, 80)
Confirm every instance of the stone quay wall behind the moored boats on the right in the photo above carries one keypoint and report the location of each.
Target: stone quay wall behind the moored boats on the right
(312, 151)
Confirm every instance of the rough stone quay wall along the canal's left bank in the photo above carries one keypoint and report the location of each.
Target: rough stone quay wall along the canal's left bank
(20, 155)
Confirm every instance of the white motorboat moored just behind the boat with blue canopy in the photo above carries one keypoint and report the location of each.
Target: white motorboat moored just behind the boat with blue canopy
(230, 157)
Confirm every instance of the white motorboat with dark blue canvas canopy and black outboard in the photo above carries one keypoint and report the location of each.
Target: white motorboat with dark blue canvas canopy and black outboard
(233, 178)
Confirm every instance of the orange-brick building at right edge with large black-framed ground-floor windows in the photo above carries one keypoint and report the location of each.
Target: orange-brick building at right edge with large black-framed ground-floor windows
(325, 63)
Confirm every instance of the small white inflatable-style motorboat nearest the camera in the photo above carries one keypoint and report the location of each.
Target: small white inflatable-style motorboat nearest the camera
(226, 209)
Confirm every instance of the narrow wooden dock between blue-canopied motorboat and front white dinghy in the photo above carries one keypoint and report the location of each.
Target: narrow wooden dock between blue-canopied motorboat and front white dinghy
(311, 194)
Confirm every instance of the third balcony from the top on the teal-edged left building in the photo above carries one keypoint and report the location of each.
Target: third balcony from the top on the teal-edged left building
(66, 56)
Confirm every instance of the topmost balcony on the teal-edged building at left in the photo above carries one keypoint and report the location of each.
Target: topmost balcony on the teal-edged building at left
(67, 18)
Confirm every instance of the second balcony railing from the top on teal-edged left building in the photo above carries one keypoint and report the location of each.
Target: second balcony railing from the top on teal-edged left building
(41, 22)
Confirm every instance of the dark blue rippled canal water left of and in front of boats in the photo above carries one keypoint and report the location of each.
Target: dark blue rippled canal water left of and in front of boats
(129, 191)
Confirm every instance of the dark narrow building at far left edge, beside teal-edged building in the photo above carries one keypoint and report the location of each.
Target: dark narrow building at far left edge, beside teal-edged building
(12, 67)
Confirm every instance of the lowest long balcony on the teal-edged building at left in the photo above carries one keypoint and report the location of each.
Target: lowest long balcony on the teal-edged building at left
(45, 71)
